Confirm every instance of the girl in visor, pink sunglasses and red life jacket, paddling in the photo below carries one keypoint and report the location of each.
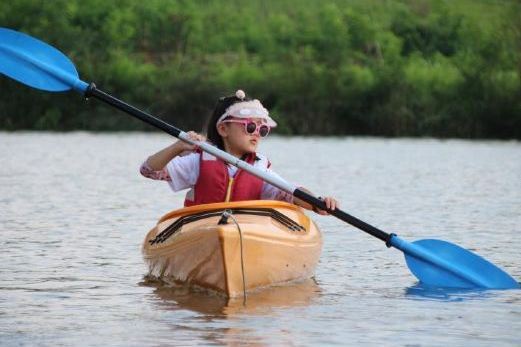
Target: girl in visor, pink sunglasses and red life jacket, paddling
(236, 126)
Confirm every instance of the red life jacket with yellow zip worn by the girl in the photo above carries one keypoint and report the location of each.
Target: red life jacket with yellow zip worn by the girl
(215, 184)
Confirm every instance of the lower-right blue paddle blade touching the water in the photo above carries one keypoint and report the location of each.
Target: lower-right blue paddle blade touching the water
(443, 264)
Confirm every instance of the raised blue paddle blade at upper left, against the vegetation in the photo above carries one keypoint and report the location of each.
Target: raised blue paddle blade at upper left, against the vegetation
(36, 64)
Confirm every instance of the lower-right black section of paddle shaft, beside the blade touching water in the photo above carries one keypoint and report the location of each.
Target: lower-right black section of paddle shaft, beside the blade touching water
(382, 235)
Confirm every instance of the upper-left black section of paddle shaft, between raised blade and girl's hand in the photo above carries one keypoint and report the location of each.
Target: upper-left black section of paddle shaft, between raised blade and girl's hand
(131, 110)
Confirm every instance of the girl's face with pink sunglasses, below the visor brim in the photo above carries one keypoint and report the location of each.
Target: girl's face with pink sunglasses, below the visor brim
(236, 138)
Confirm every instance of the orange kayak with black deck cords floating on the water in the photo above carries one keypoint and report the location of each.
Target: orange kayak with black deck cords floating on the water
(201, 247)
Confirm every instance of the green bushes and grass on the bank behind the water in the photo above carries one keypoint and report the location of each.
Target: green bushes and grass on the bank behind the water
(391, 68)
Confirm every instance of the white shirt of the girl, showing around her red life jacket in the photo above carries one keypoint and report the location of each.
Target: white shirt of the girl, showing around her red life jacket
(184, 172)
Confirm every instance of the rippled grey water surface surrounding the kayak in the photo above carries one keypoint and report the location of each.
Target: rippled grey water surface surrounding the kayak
(74, 211)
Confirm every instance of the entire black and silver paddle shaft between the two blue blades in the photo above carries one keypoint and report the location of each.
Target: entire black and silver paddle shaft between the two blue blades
(92, 91)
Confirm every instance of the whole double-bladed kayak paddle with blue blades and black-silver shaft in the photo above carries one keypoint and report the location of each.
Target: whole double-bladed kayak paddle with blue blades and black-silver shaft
(434, 262)
